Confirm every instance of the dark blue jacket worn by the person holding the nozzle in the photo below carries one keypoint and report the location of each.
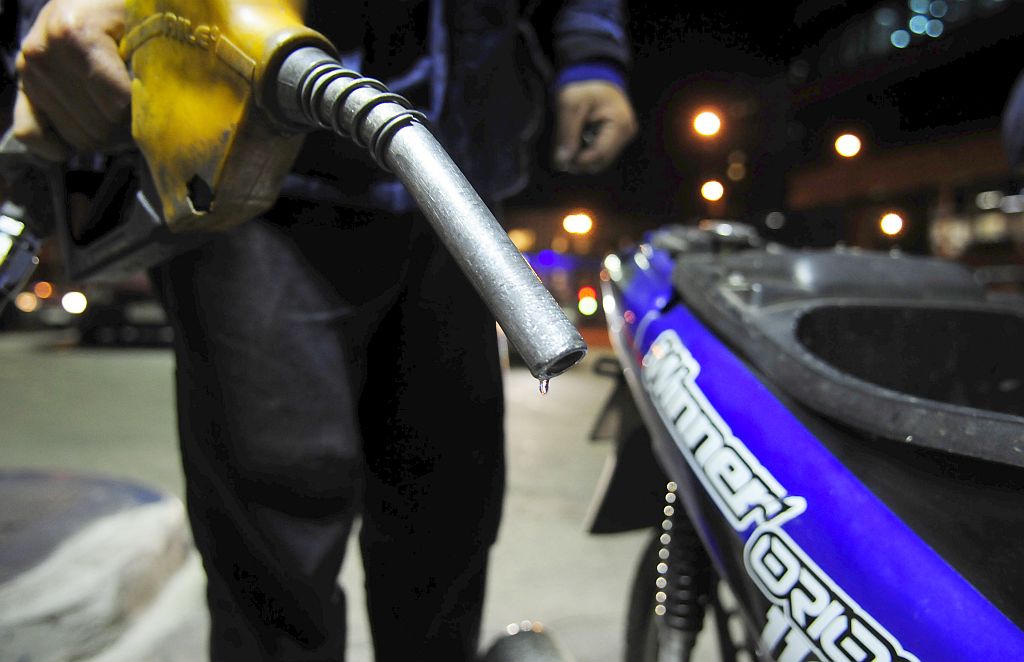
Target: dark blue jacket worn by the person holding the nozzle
(475, 67)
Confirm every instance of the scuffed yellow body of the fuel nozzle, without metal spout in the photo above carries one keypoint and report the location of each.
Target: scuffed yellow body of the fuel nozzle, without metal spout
(216, 158)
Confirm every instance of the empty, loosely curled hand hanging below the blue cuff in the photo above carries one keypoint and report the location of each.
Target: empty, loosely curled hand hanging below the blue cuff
(592, 104)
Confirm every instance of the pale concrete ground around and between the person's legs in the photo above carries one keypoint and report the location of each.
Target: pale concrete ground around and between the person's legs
(110, 412)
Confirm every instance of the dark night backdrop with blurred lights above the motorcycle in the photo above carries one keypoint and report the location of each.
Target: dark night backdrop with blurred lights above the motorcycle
(787, 79)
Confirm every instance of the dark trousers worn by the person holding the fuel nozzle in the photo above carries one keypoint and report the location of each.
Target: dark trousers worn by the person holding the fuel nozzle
(334, 365)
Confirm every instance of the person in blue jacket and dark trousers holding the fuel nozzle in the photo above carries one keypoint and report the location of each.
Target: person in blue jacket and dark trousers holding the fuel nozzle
(333, 365)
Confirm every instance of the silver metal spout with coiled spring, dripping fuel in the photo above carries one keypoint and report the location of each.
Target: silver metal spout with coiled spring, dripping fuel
(313, 90)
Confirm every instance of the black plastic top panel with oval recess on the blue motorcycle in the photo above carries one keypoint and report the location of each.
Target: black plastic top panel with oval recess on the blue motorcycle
(812, 320)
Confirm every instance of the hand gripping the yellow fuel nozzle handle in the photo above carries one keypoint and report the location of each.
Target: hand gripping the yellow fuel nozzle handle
(74, 90)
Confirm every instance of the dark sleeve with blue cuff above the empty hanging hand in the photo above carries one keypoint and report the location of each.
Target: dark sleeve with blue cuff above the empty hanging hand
(587, 31)
